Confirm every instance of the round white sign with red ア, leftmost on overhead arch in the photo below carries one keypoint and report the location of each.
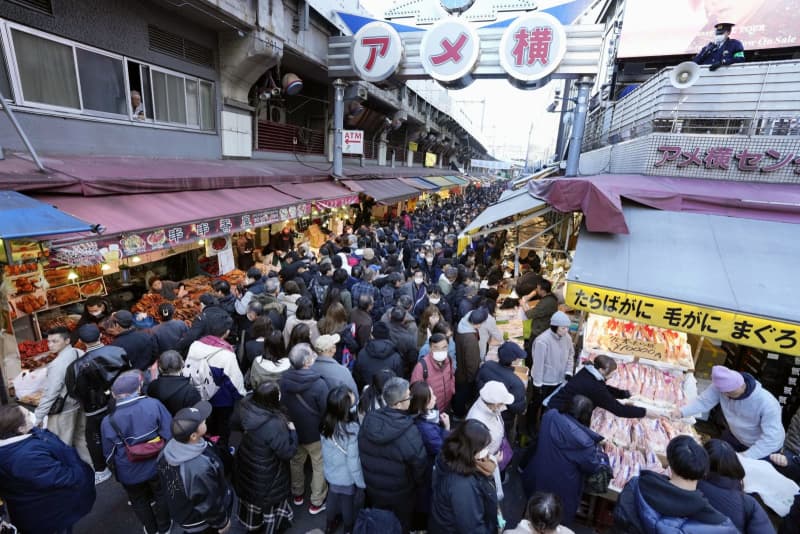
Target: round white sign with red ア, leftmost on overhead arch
(377, 51)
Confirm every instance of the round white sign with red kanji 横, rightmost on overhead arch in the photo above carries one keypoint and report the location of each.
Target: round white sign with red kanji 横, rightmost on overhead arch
(532, 46)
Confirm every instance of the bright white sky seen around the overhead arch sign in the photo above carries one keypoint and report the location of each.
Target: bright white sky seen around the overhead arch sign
(509, 112)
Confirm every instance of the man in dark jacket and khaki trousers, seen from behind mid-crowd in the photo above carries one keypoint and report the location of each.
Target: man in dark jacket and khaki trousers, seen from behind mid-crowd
(304, 394)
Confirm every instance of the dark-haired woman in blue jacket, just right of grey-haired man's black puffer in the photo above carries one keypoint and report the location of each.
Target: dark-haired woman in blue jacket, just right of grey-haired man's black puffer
(434, 427)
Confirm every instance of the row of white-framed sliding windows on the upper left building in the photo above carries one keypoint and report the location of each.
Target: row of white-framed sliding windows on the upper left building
(55, 73)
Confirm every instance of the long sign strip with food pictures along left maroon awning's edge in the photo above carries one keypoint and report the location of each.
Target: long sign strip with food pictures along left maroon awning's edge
(137, 243)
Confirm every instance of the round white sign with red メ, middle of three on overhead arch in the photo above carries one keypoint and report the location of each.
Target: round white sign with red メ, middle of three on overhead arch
(449, 50)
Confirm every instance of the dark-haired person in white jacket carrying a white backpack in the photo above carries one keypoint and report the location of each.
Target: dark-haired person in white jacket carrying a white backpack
(213, 369)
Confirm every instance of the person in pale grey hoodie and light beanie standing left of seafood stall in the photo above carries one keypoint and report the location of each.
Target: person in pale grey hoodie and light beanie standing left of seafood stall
(553, 363)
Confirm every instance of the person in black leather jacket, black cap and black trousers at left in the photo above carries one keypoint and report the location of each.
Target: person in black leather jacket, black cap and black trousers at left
(88, 380)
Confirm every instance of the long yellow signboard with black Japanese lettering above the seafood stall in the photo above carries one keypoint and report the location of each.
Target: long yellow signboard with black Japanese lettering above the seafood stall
(759, 332)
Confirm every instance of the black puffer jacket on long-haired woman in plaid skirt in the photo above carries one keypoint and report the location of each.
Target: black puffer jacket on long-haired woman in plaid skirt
(261, 464)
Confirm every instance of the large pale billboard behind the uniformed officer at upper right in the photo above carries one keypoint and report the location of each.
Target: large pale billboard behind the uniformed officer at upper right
(686, 26)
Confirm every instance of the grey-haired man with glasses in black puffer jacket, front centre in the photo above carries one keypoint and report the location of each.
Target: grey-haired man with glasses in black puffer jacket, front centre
(393, 456)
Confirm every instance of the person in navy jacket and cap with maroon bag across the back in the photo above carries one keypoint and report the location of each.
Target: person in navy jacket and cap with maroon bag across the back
(138, 422)
